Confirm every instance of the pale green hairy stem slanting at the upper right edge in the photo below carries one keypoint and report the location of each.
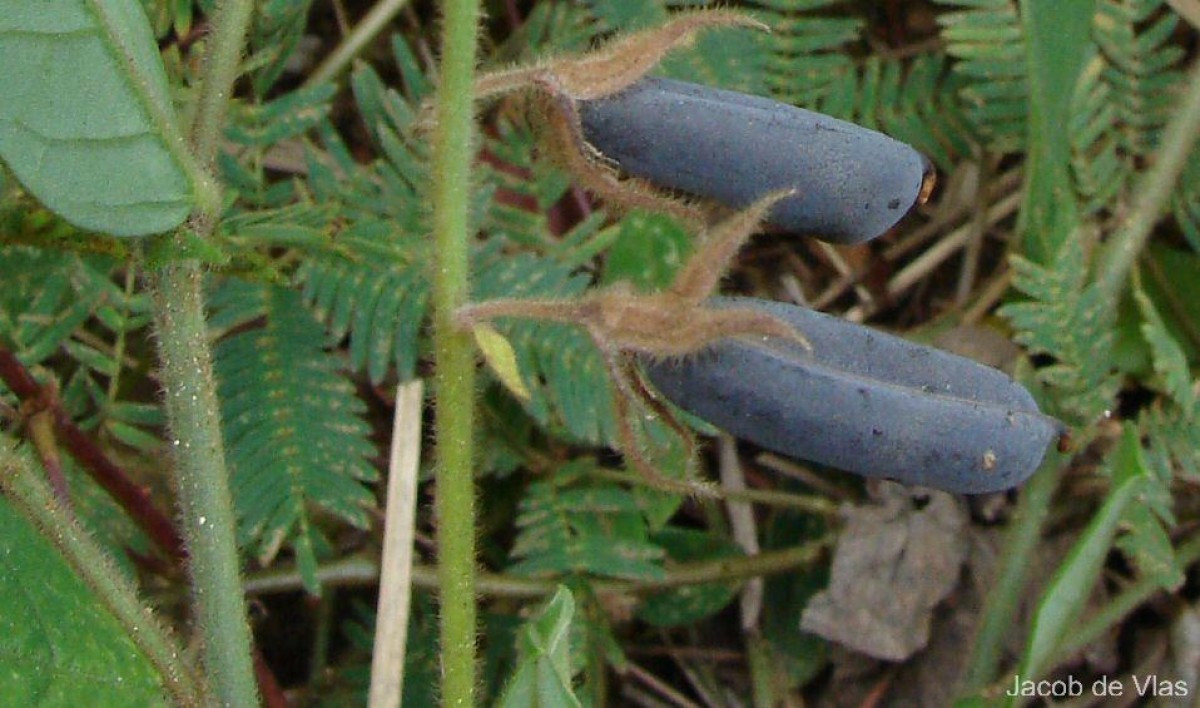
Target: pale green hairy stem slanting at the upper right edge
(1153, 191)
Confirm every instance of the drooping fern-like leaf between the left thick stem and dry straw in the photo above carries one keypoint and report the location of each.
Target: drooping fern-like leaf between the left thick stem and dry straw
(293, 425)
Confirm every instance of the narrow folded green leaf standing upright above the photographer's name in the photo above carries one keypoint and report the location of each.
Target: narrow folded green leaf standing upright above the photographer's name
(1065, 599)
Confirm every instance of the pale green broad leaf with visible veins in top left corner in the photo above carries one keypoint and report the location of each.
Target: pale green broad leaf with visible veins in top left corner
(87, 123)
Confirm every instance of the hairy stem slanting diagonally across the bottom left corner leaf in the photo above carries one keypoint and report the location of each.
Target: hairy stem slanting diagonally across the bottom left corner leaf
(91, 563)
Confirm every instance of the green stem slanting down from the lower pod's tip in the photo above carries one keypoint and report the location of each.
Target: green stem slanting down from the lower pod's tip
(997, 623)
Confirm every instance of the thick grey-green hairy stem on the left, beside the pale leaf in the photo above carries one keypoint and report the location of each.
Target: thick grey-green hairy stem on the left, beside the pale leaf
(207, 517)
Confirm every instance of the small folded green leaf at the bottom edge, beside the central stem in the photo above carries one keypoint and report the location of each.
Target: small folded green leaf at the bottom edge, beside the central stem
(544, 674)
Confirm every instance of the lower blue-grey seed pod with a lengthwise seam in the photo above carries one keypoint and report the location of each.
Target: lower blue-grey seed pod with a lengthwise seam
(866, 403)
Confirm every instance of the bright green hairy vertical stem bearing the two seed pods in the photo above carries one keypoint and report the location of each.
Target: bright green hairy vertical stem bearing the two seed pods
(455, 385)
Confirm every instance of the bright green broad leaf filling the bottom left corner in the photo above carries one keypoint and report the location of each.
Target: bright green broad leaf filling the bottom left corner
(58, 645)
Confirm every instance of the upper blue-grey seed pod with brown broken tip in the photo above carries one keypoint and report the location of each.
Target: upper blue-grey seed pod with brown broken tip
(851, 184)
